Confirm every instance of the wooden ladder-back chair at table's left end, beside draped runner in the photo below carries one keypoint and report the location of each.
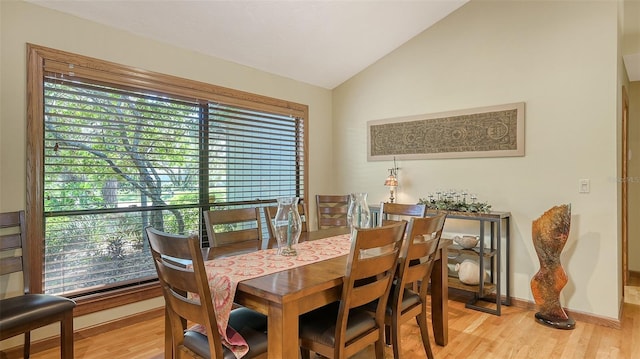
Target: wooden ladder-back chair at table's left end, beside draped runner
(180, 268)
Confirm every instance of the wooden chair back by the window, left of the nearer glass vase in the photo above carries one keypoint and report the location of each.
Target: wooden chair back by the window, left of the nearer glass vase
(234, 230)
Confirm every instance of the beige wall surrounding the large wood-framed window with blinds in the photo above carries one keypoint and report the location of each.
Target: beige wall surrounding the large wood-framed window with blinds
(23, 23)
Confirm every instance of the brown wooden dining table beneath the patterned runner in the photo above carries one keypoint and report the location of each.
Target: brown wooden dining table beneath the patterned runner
(284, 295)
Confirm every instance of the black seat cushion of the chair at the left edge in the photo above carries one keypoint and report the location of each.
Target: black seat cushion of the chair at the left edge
(23, 309)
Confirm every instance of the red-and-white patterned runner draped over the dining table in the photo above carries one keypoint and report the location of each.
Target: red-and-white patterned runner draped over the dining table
(224, 274)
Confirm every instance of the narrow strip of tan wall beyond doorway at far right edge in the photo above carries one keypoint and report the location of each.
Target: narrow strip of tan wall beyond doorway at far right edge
(634, 176)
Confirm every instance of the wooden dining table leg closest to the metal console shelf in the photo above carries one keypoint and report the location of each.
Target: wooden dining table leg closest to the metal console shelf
(440, 299)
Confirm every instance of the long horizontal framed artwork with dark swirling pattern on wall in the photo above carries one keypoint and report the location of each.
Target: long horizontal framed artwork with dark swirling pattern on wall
(494, 131)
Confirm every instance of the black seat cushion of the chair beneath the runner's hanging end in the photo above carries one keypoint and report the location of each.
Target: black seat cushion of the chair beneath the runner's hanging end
(251, 325)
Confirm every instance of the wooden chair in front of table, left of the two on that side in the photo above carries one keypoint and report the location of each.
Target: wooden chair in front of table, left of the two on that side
(370, 268)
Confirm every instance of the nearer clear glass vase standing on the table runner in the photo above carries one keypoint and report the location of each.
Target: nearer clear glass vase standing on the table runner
(287, 225)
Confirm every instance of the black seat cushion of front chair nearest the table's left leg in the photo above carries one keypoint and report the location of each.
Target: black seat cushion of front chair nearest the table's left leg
(320, 324)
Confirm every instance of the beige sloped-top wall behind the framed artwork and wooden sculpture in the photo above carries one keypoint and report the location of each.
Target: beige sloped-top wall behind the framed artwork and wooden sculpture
(558, 57)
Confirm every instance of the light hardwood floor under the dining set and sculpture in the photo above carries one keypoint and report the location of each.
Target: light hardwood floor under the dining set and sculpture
(472, 334)
